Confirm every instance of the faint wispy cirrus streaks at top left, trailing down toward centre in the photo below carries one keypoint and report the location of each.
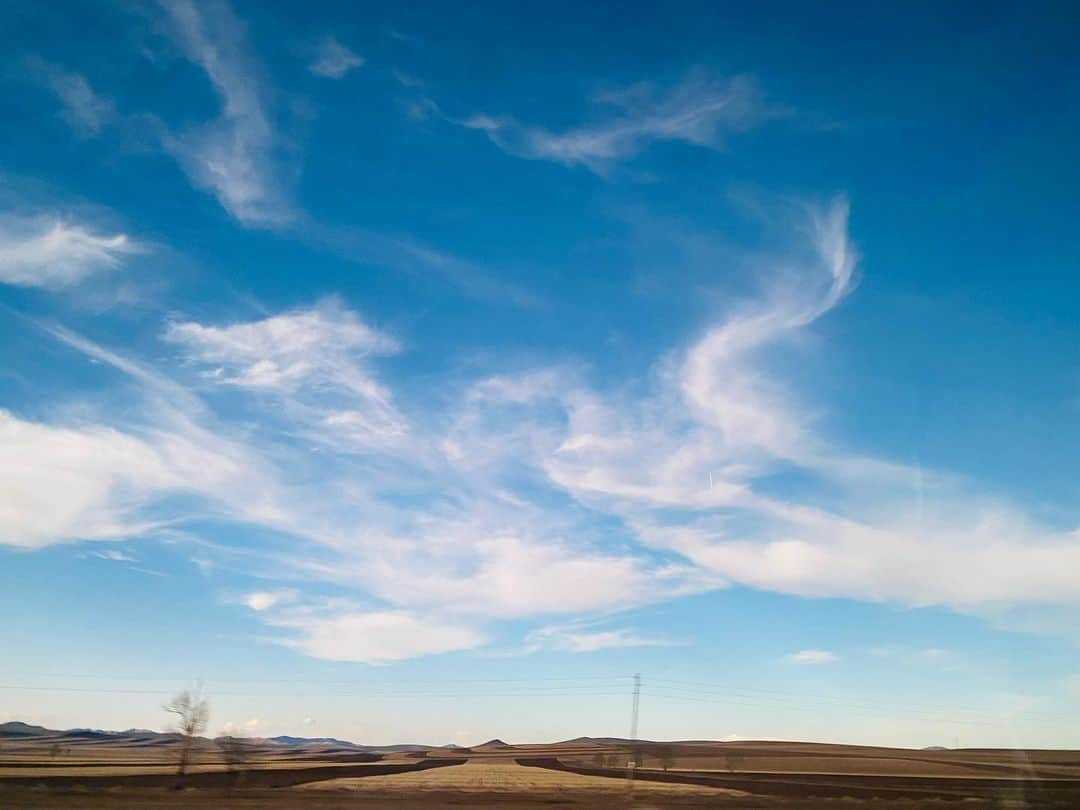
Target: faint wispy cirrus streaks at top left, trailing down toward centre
(246, 163)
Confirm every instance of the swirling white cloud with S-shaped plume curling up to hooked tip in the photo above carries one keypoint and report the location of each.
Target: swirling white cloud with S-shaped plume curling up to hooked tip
(715, 420)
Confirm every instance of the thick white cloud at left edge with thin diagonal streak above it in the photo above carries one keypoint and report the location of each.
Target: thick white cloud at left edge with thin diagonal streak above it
(90, 481)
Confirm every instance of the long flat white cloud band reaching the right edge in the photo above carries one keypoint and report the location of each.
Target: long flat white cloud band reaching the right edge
(980, 563)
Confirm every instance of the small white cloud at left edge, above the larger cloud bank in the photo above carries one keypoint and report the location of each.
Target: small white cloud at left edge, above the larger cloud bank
(52, 253)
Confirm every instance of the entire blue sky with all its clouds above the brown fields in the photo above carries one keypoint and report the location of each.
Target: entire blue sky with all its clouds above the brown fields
(422, 375)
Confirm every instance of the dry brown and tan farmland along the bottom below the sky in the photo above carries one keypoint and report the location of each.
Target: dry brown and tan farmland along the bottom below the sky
(137, 774)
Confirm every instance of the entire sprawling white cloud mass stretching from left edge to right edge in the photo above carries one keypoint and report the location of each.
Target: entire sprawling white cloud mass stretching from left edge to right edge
(532, 496)
